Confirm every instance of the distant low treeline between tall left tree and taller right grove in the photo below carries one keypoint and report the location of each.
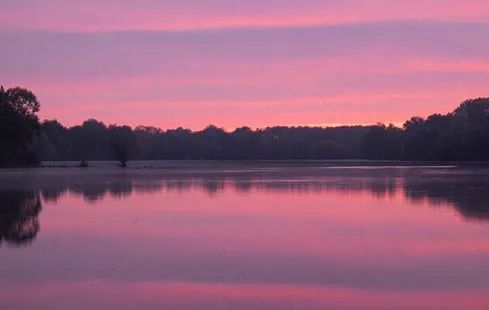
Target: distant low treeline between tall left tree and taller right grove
(95, 141)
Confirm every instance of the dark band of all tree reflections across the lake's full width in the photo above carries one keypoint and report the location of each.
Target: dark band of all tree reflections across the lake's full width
(464, 190)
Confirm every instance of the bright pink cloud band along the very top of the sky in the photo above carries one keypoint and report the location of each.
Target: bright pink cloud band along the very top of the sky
(94, 15)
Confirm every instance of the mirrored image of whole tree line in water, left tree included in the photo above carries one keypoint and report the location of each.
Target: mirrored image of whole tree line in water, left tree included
(468, 195)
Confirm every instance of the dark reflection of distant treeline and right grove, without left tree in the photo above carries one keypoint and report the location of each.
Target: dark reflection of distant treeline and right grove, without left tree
(466, 193)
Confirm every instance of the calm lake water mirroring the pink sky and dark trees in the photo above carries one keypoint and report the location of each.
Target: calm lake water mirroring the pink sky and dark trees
(280, 235)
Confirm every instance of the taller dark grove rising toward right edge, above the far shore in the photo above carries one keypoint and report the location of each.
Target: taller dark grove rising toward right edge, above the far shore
(460, 135)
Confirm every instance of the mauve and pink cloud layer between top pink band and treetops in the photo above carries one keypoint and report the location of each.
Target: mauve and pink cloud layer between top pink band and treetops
(226, 74)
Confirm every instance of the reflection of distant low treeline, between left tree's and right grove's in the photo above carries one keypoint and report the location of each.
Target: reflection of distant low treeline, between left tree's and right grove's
(92, 192)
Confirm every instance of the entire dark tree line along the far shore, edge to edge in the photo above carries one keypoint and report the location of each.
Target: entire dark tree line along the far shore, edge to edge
(462, 135)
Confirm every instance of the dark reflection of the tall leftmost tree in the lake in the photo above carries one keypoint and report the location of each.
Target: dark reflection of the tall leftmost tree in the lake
(19, 212)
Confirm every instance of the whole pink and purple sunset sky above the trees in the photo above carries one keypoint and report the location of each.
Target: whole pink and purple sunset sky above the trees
(191, 63)
